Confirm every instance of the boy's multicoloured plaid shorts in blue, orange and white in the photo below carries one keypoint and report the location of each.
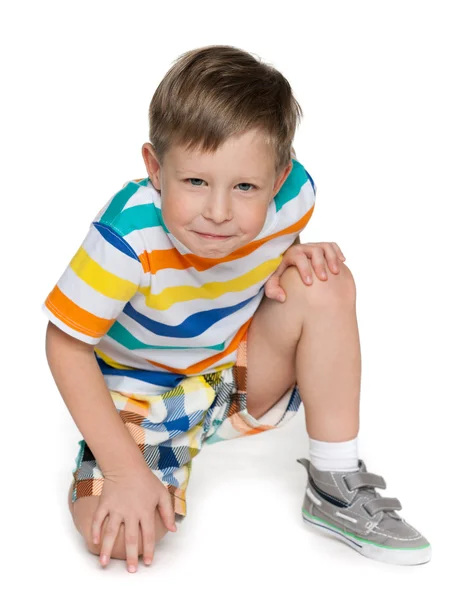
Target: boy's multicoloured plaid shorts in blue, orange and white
(171, 428)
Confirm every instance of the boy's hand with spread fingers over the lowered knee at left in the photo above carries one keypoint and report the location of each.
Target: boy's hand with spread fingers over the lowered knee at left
(131, 498)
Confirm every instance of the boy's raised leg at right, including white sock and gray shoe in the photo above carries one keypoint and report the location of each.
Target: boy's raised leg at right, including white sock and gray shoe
(312, 339)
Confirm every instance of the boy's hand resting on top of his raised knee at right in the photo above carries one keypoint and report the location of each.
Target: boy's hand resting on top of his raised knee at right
(299, 255)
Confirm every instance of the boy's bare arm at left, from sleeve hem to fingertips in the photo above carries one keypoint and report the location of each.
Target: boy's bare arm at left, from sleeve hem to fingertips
(131, 491)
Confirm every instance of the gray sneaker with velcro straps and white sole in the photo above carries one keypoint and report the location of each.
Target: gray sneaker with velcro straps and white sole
(346, 505)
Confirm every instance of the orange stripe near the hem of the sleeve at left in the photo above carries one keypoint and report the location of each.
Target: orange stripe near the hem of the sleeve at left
(74, 316)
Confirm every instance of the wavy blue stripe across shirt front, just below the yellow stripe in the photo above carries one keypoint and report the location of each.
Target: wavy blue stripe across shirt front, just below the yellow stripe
(191, 327)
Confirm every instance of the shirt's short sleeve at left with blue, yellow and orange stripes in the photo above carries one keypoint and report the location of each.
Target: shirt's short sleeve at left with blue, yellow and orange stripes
(101, 278)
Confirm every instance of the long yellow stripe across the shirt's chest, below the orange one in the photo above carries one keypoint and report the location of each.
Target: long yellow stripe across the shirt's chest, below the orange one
(212, 290)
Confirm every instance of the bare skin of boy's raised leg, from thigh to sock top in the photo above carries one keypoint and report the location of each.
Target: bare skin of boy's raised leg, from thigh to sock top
(311, 339)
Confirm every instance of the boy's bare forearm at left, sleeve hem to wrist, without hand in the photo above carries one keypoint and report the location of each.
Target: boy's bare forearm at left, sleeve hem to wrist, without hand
(83, 388)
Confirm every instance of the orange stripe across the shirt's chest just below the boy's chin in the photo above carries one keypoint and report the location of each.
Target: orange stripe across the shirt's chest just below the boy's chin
(172, 259)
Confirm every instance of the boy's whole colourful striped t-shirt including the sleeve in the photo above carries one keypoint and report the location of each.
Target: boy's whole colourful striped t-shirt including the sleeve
(155, 312)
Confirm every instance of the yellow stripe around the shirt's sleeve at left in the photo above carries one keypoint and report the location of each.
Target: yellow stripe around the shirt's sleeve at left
(100, 279)
